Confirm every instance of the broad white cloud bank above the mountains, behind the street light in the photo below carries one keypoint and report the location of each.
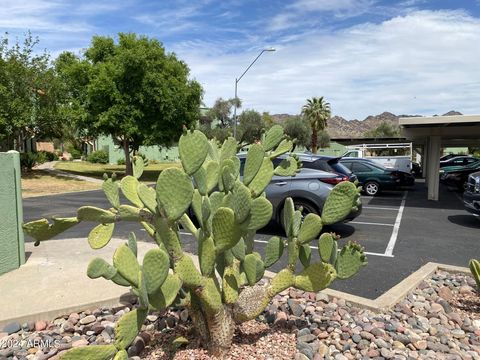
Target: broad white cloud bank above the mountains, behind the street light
(424, 62)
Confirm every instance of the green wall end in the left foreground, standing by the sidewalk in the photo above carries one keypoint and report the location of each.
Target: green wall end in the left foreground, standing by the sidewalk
(12, 251)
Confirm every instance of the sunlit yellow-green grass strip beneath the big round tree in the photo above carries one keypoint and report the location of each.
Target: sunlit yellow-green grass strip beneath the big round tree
(85, 168)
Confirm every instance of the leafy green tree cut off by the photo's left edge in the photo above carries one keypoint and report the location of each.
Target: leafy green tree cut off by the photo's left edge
(29, 94)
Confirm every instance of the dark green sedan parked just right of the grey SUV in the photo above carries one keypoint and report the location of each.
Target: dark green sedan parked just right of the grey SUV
(375, 178)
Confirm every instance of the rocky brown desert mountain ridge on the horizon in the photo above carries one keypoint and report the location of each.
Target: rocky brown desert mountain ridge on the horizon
(339, 127)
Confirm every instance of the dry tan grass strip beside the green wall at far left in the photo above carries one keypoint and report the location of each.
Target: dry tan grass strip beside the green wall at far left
(38, 183)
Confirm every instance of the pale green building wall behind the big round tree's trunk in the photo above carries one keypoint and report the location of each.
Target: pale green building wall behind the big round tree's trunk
(151, 152)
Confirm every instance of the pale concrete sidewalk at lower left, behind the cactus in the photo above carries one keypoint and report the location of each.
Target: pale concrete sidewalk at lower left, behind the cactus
(54, 281)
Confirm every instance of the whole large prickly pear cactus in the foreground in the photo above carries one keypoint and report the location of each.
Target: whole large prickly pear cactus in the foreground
(229, 208)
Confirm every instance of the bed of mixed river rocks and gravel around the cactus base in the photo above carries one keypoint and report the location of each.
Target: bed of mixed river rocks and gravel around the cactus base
(440, 319)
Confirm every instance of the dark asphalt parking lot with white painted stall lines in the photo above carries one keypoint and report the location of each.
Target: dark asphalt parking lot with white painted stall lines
(400, 231)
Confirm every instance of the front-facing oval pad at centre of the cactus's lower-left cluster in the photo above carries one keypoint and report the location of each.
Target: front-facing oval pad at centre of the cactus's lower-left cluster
(155, 269)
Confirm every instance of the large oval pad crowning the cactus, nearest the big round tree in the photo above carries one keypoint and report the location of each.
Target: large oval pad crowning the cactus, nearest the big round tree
(193, 149)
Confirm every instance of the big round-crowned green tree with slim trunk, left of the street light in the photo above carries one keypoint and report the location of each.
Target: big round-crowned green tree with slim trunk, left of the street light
(135, 92)
